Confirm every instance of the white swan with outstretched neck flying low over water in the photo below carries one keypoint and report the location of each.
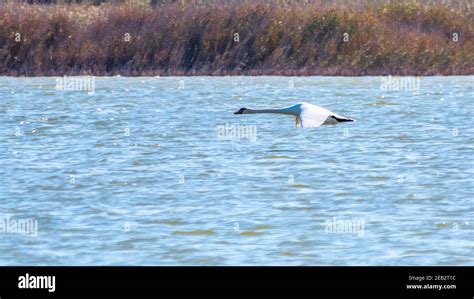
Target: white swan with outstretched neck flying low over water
(307, 115)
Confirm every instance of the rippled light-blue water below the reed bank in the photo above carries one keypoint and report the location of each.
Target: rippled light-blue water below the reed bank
(140, 173)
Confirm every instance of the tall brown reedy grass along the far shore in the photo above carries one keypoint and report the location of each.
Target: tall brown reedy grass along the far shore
(241, 37)
